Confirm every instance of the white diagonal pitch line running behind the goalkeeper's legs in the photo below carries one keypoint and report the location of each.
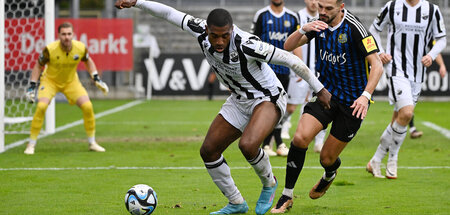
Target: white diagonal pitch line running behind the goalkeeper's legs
(78, 122)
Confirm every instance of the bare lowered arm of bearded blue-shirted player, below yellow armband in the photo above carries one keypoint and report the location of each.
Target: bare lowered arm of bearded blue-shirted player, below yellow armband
(361, 104)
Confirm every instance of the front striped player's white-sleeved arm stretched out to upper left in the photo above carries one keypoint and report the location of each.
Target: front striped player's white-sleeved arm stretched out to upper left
(156, 9)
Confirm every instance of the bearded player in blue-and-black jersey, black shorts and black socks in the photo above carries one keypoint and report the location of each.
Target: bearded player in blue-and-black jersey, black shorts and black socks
(349, 67)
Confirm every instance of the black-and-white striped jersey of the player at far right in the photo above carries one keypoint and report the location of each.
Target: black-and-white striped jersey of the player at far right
(410, 28)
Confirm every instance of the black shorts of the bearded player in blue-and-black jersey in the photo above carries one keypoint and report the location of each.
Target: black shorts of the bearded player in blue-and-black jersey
(344, 125)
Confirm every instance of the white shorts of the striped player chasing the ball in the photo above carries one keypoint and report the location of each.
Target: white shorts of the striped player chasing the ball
(238, 112)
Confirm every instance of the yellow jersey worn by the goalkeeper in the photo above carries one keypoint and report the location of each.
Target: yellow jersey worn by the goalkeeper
(61, 65)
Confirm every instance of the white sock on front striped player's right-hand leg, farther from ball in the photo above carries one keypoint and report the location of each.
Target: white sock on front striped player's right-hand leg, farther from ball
(263, 169)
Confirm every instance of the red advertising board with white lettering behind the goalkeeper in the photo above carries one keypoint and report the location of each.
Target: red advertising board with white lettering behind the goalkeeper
(109, 41)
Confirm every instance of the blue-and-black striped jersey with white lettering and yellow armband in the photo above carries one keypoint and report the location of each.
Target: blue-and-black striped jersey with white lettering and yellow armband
(340, 58)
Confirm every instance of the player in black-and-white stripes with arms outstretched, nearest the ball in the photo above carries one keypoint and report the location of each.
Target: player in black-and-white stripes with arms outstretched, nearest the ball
(257, 101)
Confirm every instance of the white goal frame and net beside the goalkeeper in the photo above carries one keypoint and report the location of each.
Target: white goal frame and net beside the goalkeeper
(28, 26)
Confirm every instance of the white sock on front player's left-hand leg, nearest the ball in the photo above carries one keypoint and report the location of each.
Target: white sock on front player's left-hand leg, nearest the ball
(220, 174)
